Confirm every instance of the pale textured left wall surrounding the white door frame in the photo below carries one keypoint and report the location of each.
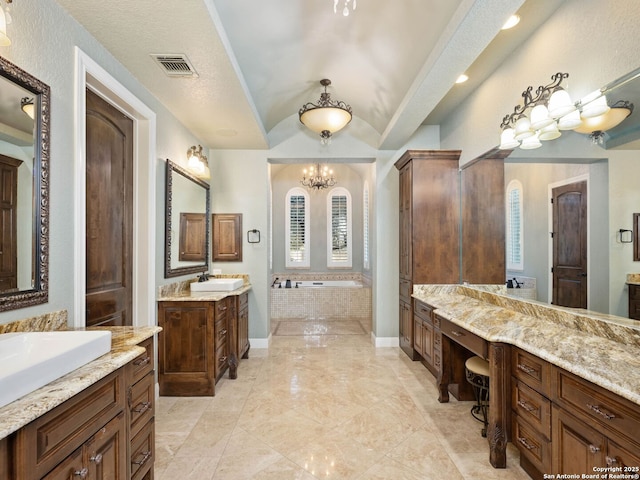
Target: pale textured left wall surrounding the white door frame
(44, 37)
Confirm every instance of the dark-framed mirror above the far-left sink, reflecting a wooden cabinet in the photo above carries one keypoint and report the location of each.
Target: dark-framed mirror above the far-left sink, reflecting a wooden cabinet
(187, 222)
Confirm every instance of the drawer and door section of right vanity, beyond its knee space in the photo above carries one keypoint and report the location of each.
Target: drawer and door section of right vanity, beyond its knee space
(567, 425)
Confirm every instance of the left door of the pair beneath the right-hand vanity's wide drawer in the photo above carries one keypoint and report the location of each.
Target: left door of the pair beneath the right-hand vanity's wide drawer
(576, 446)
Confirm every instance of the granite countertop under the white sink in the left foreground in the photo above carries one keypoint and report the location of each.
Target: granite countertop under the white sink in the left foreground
(124, 348)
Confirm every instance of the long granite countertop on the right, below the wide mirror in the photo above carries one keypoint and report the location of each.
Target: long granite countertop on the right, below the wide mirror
(602, 349)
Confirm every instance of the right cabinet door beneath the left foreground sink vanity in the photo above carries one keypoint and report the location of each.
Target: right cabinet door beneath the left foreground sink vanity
(107, 450)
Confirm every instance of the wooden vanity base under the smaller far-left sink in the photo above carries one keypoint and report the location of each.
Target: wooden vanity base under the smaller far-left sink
(199, 342)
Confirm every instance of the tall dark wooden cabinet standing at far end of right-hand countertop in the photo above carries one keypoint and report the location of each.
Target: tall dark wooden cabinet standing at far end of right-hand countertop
(429, 229)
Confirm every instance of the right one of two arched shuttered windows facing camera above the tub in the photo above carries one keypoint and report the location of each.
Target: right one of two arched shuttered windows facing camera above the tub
(339, 237)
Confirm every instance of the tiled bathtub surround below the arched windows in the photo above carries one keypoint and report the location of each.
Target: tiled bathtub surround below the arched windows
(321, 302)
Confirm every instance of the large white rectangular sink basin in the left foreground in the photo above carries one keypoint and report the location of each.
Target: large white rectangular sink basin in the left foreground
(30, 360)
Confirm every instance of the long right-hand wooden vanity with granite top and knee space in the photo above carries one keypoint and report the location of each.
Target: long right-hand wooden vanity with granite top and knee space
(564, 383)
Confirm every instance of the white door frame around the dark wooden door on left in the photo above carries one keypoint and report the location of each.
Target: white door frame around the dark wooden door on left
(91, 75)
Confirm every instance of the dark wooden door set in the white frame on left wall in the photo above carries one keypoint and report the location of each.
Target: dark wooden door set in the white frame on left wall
(109, 206)
